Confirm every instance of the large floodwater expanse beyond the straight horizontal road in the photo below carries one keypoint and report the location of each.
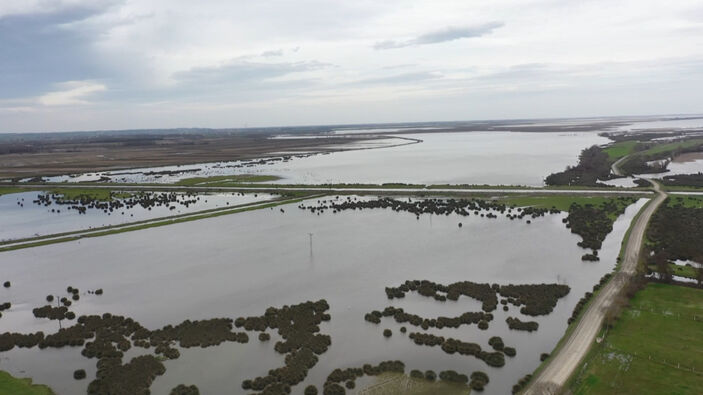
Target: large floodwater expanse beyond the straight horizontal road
(497, 158)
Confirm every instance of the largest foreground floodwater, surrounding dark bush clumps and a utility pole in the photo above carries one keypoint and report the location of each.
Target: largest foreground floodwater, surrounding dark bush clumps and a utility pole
(238, 265)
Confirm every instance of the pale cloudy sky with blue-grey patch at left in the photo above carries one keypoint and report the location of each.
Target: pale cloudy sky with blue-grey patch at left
(129, 64)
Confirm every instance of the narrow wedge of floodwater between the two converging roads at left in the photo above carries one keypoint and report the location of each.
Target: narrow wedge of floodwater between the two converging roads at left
(30, 220)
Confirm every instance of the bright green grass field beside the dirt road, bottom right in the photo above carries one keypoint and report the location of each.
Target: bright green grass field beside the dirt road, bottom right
(656, 347)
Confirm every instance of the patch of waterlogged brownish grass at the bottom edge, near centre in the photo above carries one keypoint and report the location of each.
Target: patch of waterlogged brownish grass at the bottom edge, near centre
(397, 383)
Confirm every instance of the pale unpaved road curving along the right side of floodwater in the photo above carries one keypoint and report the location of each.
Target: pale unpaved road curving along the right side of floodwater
(554, 376)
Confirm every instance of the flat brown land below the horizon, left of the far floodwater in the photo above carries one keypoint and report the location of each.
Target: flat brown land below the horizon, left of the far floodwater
(87, 153)
